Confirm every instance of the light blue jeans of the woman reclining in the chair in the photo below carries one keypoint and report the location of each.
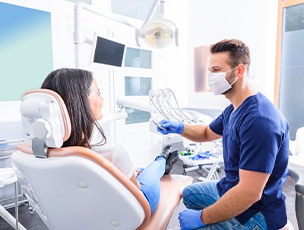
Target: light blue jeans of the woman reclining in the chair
(149, 179)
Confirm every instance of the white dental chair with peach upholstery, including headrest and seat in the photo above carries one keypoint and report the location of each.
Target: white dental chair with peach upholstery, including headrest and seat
(75, 187)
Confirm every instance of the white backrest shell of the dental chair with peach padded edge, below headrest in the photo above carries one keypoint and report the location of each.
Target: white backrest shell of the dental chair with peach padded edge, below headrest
(75, 188)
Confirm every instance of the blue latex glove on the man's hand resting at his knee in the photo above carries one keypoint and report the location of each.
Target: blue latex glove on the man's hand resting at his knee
(190, 219)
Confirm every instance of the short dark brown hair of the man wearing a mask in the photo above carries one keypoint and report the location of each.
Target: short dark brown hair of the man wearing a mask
(238, 51)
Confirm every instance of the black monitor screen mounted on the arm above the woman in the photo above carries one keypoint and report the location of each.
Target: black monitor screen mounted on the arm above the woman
(108, 52)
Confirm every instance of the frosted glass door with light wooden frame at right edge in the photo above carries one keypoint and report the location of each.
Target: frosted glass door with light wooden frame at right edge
(290, 63)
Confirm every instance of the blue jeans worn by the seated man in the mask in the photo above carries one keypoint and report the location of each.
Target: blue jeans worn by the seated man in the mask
(200, 195)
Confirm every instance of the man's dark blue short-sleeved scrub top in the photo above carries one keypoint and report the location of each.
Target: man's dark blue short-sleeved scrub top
(256, 138)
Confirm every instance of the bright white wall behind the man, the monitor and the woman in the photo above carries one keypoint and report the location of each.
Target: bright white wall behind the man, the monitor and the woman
(199, 23)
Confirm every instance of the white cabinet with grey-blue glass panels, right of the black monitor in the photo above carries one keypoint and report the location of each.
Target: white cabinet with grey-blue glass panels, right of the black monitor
(133, 83)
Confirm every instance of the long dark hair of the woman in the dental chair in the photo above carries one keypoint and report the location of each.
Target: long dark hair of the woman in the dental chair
(73, 85)
